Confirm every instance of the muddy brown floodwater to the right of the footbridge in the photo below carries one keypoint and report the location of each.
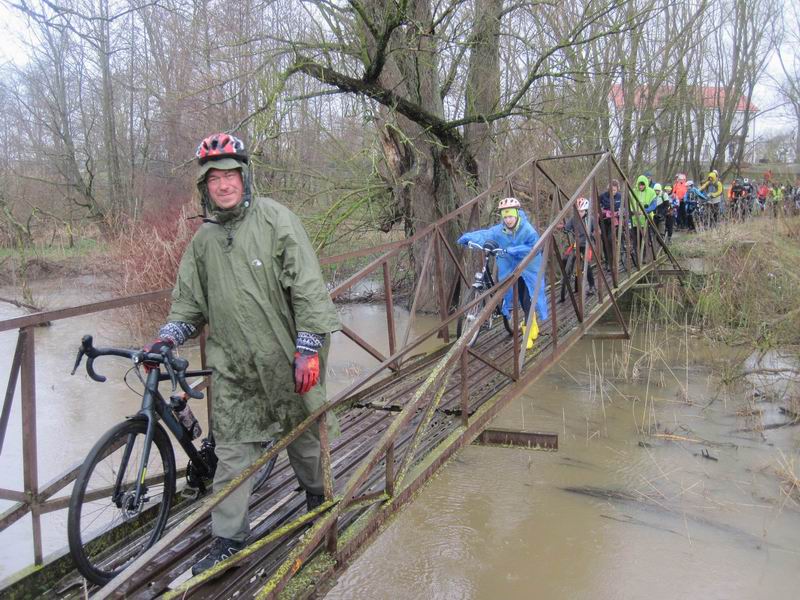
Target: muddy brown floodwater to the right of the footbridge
(627, 508)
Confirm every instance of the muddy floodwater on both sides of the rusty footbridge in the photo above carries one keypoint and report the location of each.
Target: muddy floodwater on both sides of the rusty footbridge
(617, 513)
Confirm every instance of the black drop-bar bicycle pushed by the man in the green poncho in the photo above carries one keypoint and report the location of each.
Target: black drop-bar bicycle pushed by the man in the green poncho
(123, 493)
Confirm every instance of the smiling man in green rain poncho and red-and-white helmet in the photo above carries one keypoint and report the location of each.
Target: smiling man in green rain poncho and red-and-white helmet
(251, 275)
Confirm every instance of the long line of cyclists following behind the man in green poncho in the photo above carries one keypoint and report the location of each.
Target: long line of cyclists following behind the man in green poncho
(682, 204)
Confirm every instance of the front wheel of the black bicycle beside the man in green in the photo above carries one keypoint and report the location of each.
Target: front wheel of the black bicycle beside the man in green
(107, 528)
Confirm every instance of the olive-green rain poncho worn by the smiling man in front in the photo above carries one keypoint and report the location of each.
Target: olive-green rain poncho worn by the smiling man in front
(254, 278)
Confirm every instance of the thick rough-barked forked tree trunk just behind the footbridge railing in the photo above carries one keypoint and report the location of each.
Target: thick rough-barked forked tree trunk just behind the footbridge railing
(431, 173)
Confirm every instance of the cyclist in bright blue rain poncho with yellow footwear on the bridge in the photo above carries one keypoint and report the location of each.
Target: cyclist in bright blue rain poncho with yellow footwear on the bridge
(516, 236)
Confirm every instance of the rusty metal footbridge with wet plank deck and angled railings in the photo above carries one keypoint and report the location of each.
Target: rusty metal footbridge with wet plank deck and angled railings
(401, 420)
